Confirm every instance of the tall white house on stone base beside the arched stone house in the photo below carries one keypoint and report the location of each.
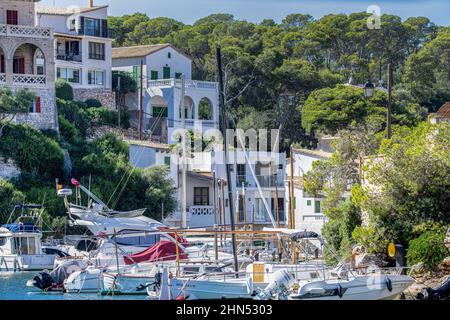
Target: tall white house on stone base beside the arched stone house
(82, 49)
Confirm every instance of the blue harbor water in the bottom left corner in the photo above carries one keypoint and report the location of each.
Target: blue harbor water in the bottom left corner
(13, 286)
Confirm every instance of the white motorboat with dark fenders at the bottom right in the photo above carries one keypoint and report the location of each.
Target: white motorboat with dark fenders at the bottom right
(375, 286)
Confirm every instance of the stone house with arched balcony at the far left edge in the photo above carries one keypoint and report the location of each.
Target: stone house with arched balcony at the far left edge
(27, 61)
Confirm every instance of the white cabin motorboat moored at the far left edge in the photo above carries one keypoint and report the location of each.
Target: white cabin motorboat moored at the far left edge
(20, 242)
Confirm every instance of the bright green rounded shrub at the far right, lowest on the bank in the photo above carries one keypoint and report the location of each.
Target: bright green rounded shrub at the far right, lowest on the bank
(428, 248)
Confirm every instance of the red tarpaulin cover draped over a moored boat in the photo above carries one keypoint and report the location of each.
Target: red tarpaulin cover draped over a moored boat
(161, 251)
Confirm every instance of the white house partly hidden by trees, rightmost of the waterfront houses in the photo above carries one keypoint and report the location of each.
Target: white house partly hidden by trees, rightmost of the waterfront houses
(307, 207)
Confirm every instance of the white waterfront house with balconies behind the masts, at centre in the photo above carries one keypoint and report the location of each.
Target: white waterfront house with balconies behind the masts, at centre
(268, 168)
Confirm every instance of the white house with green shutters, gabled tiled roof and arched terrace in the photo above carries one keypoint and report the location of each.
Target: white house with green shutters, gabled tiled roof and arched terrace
(163, 66)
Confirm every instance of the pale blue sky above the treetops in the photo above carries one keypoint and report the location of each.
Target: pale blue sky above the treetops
(188, 11)
